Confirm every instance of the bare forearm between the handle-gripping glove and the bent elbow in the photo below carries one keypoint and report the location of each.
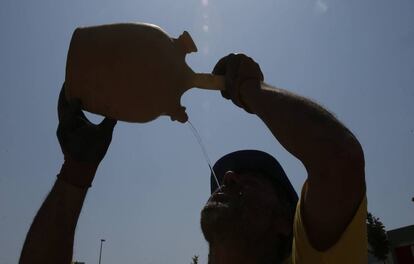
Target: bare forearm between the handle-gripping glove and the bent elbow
(304, 128)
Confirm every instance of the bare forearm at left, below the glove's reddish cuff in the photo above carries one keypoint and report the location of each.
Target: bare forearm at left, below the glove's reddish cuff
(51, 235)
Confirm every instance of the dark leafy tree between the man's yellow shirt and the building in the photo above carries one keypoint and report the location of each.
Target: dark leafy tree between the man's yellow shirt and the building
(377, 237)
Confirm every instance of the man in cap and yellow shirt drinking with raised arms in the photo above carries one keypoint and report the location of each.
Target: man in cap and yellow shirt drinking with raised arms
(255, 215)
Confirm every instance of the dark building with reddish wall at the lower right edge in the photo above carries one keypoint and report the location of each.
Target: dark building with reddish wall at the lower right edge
(402, 244)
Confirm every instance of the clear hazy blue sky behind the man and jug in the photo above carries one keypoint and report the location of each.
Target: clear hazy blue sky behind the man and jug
(356, 58)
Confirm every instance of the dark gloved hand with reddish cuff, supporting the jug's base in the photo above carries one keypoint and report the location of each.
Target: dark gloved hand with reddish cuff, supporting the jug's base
(83, 143)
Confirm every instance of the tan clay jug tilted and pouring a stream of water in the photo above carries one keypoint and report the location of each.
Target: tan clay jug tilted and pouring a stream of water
(132, 72)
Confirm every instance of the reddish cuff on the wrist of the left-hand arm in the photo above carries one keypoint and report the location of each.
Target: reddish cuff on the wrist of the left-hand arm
(76, 173)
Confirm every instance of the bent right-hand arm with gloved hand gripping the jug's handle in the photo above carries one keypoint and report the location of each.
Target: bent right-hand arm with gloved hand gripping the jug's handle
(330, 153)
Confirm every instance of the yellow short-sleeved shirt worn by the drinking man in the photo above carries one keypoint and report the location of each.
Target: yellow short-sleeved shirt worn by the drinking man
(352, 246)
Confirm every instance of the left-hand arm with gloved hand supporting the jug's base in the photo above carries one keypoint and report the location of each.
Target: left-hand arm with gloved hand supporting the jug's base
(51, 235)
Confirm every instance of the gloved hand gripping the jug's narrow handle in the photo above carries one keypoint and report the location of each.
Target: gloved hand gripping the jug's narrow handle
(241, 73)
